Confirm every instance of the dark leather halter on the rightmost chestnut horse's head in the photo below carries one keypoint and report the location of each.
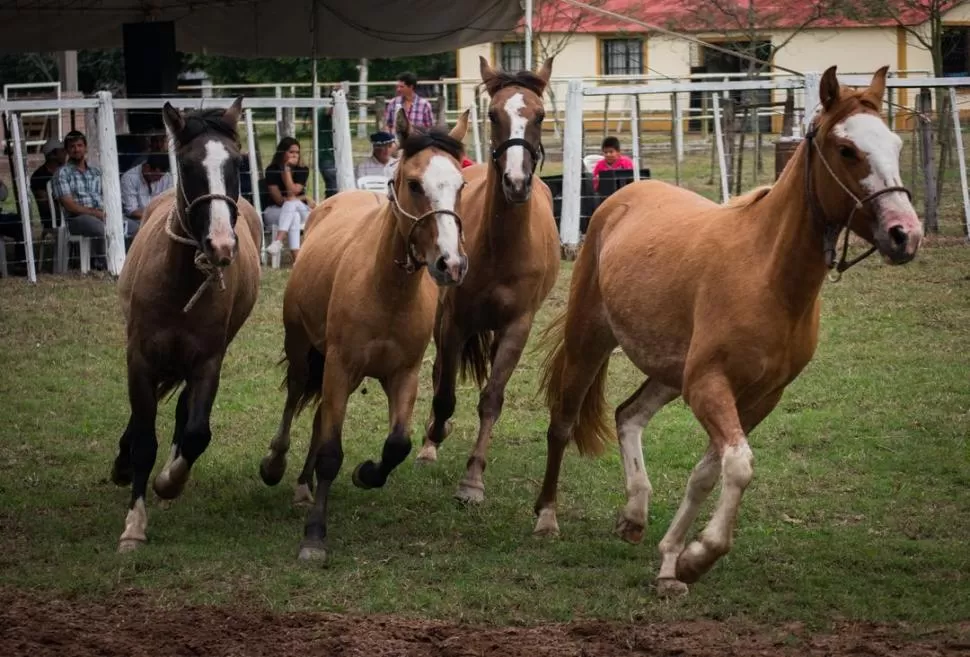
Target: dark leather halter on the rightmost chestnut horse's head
(832, 229)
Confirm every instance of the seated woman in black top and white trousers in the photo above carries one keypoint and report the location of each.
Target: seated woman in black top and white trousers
(286, 183)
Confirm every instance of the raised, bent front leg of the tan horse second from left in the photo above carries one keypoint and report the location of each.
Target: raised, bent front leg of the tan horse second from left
(401, 390)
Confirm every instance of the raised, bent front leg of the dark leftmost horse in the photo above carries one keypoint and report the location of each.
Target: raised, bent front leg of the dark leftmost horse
(201, 392)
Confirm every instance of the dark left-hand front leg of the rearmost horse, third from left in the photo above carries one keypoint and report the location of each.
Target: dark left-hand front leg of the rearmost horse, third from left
(448, 342)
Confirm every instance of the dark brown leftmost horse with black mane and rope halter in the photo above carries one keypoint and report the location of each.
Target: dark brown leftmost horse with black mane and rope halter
(188, 285)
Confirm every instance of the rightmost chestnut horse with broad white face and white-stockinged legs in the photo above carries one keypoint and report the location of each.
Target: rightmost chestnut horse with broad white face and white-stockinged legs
(720, 305)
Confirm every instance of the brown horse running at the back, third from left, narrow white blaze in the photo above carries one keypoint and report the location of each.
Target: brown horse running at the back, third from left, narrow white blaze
(513, 248)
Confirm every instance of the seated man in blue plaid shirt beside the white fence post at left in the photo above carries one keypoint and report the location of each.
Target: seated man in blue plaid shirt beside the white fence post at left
(77, 187)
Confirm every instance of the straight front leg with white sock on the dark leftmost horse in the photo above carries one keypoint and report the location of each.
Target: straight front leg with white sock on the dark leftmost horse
(142, 445)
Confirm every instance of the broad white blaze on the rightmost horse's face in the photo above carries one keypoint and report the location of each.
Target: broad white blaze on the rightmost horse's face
(882, 147)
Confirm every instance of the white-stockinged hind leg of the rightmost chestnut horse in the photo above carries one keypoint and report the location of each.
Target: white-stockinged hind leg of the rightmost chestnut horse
(631, 418)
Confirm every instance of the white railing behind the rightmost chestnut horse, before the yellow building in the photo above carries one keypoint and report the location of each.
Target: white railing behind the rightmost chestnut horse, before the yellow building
(808, 85)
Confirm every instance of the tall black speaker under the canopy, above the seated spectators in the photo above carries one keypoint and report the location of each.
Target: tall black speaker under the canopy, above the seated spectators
(151, 70)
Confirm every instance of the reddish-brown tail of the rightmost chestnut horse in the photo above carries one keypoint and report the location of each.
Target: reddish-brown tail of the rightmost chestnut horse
(592, 430)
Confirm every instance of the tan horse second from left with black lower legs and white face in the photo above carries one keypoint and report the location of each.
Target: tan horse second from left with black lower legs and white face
(359, 305)
